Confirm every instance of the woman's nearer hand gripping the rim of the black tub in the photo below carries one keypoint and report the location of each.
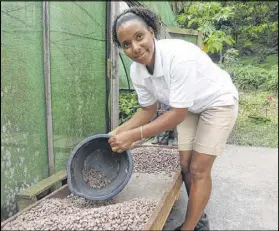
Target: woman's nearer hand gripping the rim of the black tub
(122, 141)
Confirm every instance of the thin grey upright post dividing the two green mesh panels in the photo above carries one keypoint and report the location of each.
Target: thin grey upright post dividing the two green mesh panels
(46, 54)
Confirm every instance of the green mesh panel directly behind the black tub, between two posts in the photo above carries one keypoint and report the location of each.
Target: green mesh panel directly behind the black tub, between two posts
(77, 47)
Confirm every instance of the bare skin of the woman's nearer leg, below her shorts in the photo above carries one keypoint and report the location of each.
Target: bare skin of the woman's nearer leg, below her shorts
(199, 186)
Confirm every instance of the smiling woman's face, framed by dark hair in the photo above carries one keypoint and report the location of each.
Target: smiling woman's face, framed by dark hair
(137, 41)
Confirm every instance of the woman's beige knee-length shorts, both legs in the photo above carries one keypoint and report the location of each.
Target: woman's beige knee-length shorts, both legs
(208, 131)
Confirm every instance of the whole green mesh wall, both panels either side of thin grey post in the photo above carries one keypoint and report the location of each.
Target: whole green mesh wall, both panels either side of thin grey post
(77, 48)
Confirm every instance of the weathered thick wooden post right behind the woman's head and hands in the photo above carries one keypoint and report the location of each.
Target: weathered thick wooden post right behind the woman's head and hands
(114, 67)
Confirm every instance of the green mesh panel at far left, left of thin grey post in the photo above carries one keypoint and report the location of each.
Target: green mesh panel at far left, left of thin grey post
(23, 127)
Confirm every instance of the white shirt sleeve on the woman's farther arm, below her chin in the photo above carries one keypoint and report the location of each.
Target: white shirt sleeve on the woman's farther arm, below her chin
(145, 98)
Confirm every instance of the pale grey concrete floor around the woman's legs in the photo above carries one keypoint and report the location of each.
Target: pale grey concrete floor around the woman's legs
(244, 194)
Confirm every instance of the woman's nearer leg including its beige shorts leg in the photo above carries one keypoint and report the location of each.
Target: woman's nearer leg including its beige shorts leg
(214, 127)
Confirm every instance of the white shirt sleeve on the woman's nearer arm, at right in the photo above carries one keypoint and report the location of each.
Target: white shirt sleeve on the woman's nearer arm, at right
(182, 84)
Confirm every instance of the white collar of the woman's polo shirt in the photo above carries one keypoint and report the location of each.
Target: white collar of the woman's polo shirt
(158, 68)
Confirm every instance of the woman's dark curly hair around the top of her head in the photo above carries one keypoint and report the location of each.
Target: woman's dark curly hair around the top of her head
(143, 13)
